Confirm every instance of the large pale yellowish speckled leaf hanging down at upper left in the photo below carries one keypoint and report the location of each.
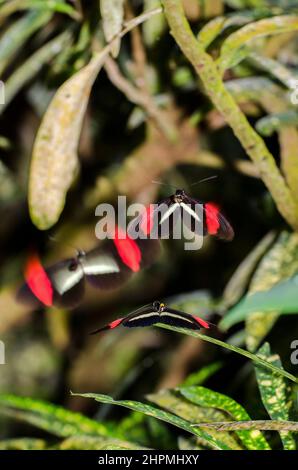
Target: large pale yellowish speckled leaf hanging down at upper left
(54, 159)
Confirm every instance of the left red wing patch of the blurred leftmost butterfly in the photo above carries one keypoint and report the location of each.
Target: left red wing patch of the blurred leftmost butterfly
(38, 281)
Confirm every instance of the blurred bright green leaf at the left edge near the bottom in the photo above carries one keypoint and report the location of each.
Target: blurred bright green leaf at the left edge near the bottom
(51, 418)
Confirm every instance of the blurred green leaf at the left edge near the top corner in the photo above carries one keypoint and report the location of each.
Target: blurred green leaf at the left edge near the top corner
(16, 35)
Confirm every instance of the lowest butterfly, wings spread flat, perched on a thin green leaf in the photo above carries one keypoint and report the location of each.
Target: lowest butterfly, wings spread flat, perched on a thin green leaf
(157, 312)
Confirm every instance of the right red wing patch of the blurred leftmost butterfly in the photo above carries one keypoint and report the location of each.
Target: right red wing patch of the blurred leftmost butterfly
(127, 249)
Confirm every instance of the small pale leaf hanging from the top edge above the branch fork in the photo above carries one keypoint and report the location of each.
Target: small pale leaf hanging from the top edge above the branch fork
(112, 12)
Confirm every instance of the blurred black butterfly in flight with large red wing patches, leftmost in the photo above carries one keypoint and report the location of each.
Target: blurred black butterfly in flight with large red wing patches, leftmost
(104, 267)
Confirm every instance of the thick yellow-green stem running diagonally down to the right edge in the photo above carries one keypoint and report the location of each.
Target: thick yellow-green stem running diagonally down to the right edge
(224, 102)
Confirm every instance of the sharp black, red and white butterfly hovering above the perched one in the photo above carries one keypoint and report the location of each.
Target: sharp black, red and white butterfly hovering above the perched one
(205, 216)
